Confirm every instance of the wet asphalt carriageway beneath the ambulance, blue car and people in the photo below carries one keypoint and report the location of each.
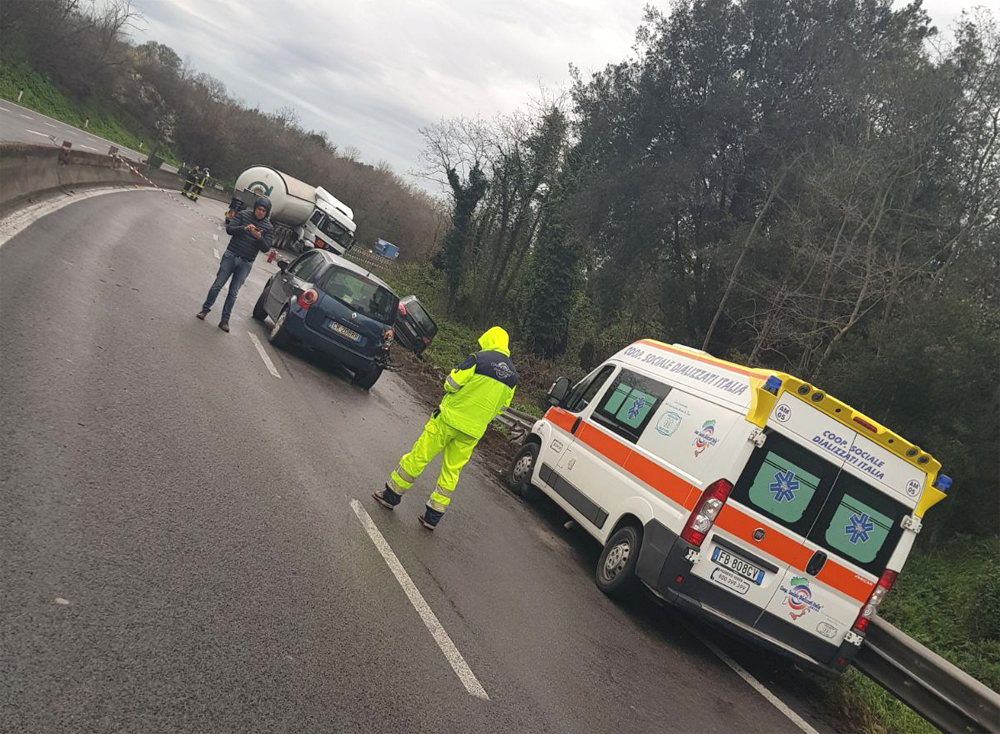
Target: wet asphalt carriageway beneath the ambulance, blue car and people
(180, 552)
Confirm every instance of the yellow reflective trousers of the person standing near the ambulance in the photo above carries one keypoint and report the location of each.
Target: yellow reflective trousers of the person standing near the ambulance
(438, 437)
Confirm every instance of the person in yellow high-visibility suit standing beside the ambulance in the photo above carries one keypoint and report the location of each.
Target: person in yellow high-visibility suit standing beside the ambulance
(476, 392)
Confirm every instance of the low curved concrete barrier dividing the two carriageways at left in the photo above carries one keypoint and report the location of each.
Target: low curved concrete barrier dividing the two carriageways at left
(28, 172)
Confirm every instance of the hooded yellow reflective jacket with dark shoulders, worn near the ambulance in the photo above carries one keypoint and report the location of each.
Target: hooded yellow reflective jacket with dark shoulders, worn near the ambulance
(481, 387)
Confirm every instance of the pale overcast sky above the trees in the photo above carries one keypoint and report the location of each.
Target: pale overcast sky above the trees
(371, 72)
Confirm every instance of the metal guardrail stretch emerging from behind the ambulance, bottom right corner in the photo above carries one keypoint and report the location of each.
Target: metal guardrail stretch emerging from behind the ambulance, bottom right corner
(945, 695)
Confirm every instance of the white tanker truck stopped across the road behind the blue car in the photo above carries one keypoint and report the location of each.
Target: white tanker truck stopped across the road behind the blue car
(304, 216)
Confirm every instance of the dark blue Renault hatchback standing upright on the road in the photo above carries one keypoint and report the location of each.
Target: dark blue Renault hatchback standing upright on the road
(333, 306)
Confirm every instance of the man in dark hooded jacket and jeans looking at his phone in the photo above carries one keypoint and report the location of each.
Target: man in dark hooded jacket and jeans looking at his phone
(251, 231)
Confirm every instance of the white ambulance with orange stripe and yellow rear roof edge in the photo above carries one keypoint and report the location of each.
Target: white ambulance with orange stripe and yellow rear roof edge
(747, 496)
